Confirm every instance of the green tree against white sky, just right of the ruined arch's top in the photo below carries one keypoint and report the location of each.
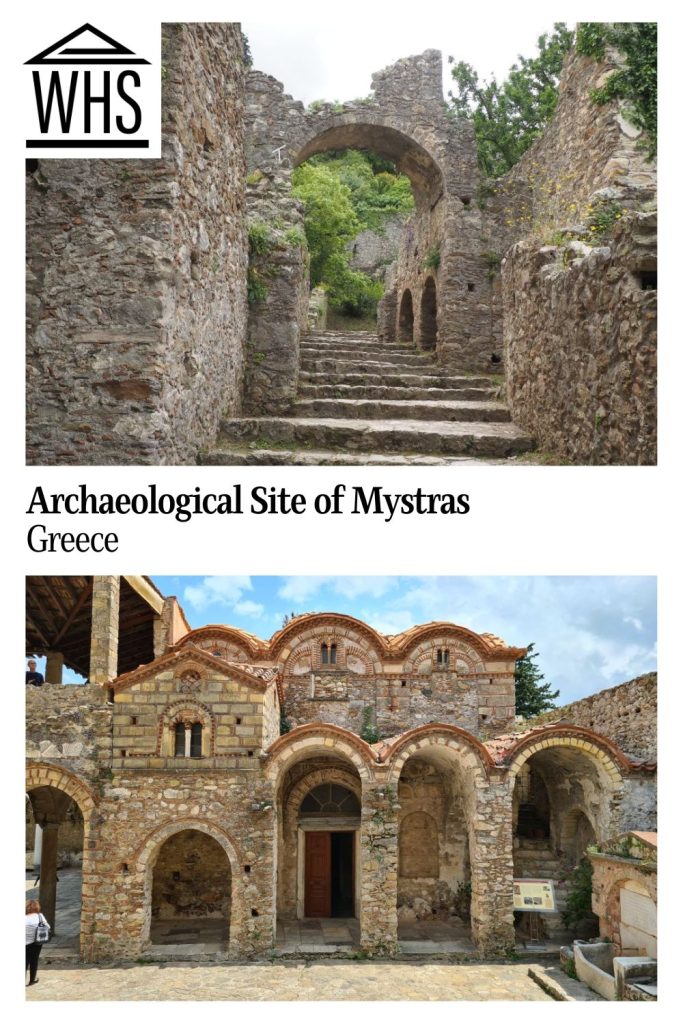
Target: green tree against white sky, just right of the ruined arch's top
(510, 115)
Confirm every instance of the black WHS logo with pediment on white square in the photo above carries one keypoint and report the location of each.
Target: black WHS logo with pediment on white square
(91, 97)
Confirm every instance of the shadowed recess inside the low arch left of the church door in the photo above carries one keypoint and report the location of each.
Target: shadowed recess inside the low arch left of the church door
(192, 891)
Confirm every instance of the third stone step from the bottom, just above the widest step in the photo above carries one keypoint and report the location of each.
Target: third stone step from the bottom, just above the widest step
(369, 409)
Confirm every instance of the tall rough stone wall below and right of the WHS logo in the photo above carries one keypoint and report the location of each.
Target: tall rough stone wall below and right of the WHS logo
(137, 277)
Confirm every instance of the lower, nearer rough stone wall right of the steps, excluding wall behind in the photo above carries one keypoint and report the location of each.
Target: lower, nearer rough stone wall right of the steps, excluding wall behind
(581, 346)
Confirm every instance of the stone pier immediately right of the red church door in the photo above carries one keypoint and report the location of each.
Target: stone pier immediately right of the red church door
(379, 868)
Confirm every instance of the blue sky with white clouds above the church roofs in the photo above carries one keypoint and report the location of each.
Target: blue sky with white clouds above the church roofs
(591, 632)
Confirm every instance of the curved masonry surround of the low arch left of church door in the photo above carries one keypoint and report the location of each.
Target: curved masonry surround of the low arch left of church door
(145, 860)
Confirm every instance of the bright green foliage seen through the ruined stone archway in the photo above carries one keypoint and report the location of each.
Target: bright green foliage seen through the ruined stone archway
(344, 194)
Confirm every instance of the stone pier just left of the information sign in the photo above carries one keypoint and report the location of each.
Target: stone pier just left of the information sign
(491, 857)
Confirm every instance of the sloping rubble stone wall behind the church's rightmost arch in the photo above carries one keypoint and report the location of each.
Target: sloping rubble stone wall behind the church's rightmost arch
(625, 714)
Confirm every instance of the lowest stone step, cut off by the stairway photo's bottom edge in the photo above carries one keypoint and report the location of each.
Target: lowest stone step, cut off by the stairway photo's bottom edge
(236, 455)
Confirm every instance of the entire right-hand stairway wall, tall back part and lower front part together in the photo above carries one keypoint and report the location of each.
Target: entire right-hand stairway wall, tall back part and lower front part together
(580, 318)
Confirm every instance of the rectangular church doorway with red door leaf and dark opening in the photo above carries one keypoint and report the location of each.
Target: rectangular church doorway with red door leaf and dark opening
(329, 872)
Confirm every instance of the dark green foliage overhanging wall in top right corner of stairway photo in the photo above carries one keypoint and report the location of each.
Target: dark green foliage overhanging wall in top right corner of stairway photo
(636, 82)
